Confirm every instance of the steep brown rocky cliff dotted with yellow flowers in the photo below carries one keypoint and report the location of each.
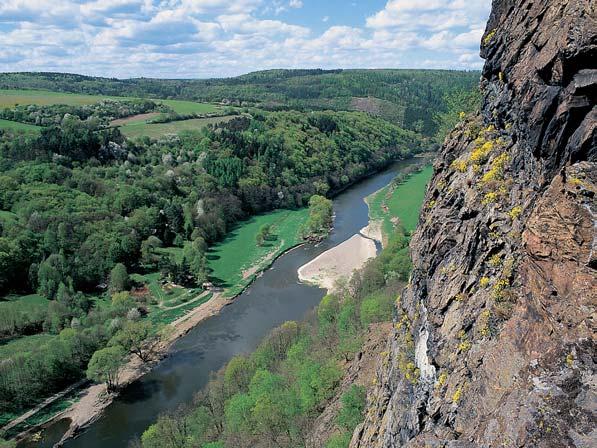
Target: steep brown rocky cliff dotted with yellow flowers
(494, 339)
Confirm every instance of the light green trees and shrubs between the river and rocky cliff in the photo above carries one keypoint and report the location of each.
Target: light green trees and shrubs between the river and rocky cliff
(272, 397)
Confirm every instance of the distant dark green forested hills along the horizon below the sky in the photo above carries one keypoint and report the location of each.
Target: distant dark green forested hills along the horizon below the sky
(404, 97)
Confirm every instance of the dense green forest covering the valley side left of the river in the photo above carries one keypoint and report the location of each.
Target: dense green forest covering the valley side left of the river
(100, 235)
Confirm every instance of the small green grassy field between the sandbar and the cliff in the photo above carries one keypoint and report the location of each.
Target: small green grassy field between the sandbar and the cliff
(403, 201)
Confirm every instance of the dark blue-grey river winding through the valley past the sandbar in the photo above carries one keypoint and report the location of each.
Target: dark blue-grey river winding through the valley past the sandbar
(272, 299)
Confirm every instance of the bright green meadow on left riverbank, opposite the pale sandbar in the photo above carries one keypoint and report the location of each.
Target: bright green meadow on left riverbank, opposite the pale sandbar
(239, 253)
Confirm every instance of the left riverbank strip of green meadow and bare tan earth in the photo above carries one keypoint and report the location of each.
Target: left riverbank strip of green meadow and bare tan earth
(238, 274)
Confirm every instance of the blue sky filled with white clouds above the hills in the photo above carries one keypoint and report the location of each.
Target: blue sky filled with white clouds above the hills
(222, 38)
